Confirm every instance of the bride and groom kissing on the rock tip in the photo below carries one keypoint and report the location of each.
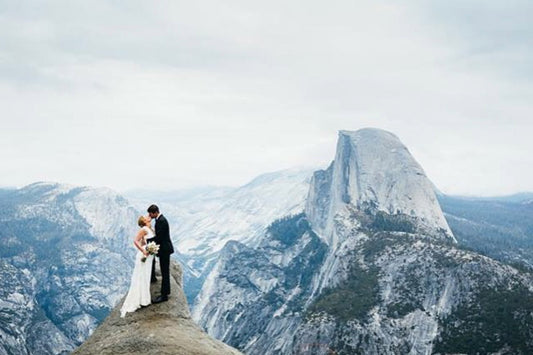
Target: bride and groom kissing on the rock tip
(144, 270)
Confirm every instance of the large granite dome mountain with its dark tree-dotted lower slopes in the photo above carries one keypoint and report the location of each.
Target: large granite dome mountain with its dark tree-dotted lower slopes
(370, 266)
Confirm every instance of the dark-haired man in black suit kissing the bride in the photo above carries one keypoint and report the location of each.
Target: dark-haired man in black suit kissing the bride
(162, 237)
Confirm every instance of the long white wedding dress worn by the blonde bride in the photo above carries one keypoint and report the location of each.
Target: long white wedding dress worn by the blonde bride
(139, 293)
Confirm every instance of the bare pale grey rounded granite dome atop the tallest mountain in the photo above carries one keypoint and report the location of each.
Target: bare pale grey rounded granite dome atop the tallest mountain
(373, 172)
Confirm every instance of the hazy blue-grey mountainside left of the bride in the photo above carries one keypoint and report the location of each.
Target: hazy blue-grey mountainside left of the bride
(66, 259)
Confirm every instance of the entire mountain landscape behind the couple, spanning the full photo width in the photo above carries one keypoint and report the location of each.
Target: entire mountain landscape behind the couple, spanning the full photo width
(271, 258)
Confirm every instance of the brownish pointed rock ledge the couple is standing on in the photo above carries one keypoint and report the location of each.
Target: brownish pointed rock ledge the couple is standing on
(164, 328)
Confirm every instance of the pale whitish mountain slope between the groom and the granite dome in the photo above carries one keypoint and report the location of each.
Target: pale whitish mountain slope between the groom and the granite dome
(241, 214)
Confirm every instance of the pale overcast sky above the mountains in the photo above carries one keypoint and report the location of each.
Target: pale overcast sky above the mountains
(170, 94)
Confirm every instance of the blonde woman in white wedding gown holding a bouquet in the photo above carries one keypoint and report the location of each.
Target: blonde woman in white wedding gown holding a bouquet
(139, 292)
